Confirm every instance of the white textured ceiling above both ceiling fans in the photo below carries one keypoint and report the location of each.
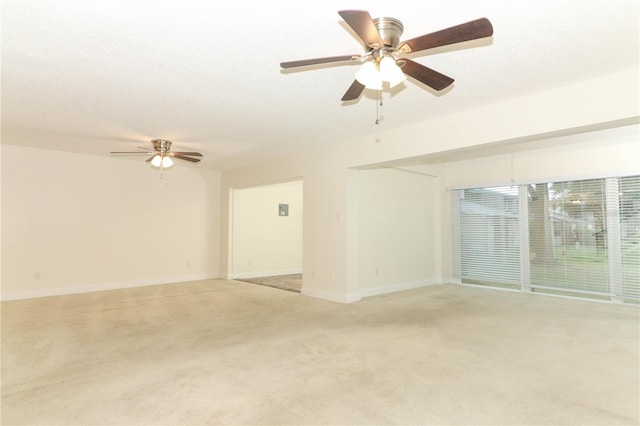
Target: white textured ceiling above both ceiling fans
(93, 76)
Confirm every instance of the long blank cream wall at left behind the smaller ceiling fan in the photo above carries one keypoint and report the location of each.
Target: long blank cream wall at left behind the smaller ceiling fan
(74, 223)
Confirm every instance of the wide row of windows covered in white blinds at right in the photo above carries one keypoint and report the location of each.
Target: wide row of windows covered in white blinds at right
(562, 237)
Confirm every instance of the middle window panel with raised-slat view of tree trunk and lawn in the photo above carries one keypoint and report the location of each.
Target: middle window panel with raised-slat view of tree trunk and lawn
(567, 239)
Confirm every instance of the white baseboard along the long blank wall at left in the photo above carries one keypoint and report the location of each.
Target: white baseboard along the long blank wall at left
(33, 294)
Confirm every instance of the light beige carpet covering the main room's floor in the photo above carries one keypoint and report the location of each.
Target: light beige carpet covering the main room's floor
(226, 352)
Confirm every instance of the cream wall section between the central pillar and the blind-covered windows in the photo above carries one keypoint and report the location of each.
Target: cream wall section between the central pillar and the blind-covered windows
(396, 228)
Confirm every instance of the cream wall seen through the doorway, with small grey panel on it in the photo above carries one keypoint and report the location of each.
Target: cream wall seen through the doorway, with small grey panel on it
(264, 243)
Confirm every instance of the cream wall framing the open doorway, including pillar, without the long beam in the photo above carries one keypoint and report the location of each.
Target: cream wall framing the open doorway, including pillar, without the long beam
(324, 216)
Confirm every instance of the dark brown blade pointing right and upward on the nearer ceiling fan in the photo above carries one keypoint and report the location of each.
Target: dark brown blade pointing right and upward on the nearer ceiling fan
(468, 31)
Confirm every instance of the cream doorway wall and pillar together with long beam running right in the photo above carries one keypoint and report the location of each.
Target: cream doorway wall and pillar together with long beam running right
(330, 261)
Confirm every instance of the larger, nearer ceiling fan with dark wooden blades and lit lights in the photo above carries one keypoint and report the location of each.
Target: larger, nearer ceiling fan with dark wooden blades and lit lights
(384, 61)
